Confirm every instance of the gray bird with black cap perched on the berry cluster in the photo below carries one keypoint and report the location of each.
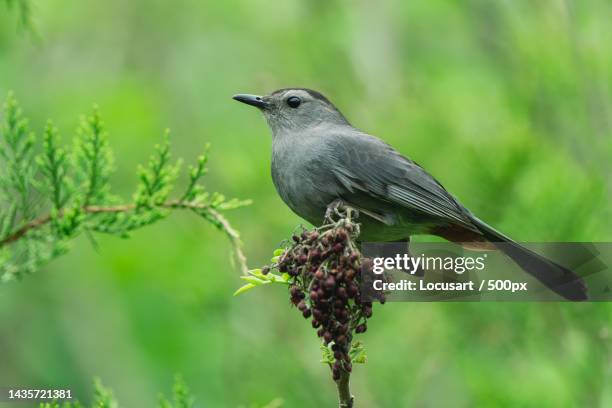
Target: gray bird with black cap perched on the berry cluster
(319, 160)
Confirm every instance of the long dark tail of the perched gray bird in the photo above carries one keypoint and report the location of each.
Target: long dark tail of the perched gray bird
(558, 278)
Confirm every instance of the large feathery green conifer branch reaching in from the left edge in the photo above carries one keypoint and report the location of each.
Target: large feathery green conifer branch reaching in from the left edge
(48, 198)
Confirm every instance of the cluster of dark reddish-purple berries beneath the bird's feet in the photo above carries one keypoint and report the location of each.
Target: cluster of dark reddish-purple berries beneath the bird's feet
(324, 265)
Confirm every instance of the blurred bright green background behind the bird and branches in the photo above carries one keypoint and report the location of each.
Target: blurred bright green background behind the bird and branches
(507, 103)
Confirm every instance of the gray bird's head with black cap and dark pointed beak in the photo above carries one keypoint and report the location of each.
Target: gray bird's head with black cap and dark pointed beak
(294, 109)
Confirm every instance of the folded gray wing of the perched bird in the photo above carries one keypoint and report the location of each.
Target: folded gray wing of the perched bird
(365, 164)
